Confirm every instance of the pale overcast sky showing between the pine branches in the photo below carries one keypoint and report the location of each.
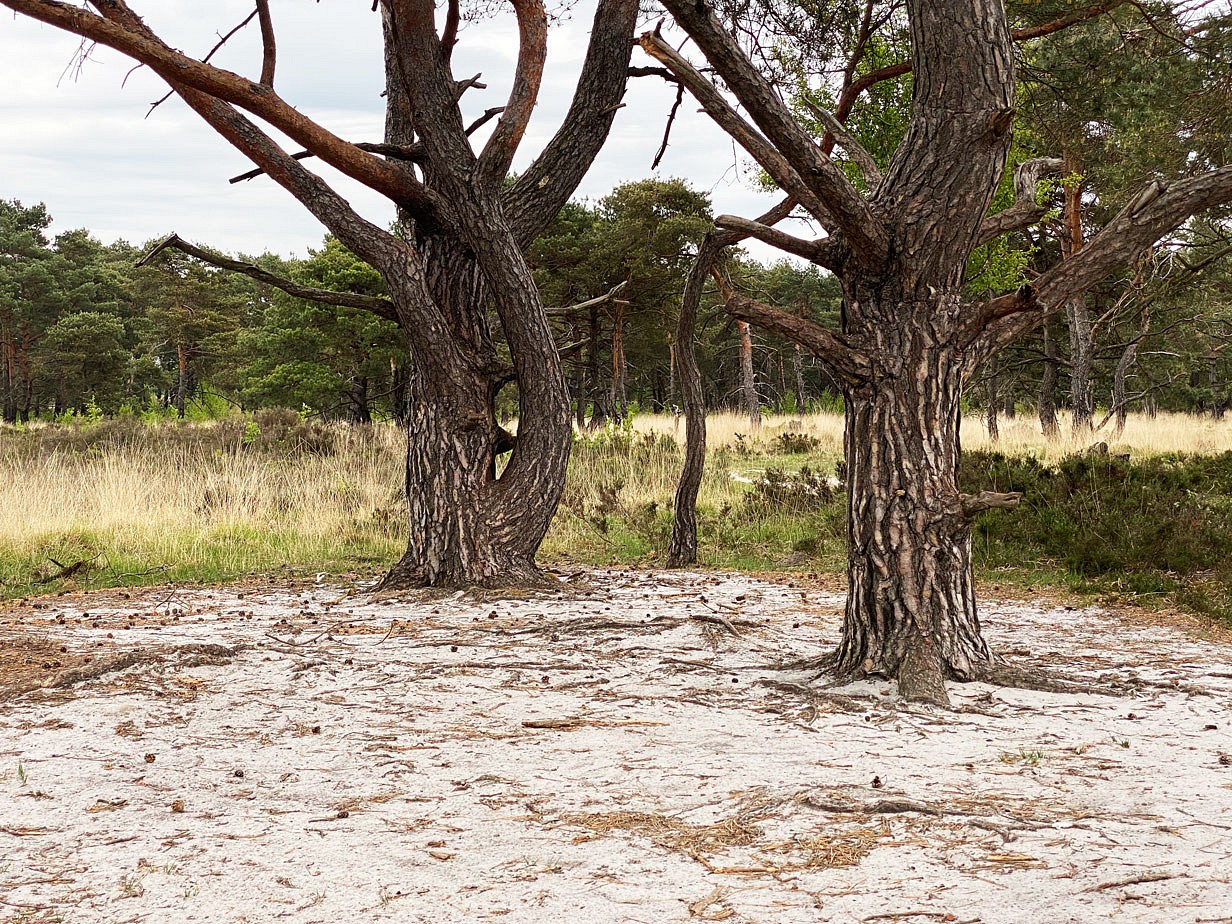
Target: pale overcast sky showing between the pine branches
(81, 142)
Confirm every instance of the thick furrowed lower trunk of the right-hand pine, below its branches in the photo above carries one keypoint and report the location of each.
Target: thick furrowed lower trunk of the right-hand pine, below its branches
(911, 608)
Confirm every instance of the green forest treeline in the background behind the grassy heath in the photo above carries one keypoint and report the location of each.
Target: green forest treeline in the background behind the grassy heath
(87, 330)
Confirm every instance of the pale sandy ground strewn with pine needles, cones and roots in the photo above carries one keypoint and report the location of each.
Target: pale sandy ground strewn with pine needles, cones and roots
(628, 752)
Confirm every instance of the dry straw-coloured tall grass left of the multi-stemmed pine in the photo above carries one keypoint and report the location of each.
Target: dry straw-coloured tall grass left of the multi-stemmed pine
(197, 502)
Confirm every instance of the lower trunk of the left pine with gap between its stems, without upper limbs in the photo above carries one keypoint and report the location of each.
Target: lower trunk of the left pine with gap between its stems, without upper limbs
(469, 527)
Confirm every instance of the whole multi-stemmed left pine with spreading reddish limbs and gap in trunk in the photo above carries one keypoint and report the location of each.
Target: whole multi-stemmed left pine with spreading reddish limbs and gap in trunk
(454, 268)
